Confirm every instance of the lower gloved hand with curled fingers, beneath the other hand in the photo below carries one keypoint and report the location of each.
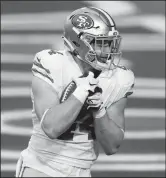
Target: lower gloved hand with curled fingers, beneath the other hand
(94, 101)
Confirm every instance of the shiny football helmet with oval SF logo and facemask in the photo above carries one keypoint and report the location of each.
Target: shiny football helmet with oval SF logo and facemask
(90, 34)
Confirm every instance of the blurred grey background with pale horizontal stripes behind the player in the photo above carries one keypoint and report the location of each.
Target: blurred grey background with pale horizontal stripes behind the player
(28, 27)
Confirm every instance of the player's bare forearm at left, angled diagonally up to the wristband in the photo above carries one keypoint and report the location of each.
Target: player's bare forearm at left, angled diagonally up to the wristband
(60, 117)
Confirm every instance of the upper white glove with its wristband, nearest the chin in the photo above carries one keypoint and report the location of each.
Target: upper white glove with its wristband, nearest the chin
(84, 85)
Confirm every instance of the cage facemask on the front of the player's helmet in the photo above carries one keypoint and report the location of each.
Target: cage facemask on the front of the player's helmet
(103, 51)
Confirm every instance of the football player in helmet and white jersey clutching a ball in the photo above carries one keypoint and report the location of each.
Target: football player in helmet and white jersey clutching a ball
(79, 95)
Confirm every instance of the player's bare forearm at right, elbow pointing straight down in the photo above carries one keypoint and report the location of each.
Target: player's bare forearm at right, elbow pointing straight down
(108, 134)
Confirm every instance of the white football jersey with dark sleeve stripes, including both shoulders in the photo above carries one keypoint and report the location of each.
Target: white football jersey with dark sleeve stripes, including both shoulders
(77, 146)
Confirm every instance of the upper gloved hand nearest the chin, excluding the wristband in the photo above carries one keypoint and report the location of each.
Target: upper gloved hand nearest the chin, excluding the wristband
(88, 83)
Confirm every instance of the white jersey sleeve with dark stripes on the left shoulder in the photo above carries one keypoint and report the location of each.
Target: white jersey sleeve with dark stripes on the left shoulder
(47, 66)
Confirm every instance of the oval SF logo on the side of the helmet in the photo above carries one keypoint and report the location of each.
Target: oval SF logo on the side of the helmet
(82, 21)
